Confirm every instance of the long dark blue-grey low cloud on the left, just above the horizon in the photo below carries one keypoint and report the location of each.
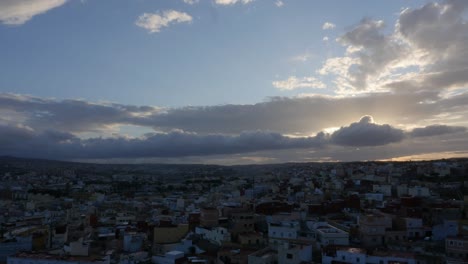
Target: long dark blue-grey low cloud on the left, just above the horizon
(22, 141)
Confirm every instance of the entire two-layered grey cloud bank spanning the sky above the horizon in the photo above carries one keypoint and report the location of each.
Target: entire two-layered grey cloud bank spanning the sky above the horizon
(219, 131)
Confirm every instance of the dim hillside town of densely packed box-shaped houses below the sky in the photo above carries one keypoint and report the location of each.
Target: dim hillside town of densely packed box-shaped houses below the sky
(358, 212)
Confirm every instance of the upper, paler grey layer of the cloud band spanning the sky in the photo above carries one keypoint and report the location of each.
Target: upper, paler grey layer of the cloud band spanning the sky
(300, 116)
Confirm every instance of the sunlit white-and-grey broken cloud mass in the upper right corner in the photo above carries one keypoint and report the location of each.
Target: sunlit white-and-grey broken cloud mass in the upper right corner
(426, 51)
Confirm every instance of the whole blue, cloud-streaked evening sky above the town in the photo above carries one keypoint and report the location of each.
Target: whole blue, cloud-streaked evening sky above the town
(233, 81)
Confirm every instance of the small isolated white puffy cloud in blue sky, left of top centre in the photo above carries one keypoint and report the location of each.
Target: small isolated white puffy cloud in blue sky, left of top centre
(154, 22)
